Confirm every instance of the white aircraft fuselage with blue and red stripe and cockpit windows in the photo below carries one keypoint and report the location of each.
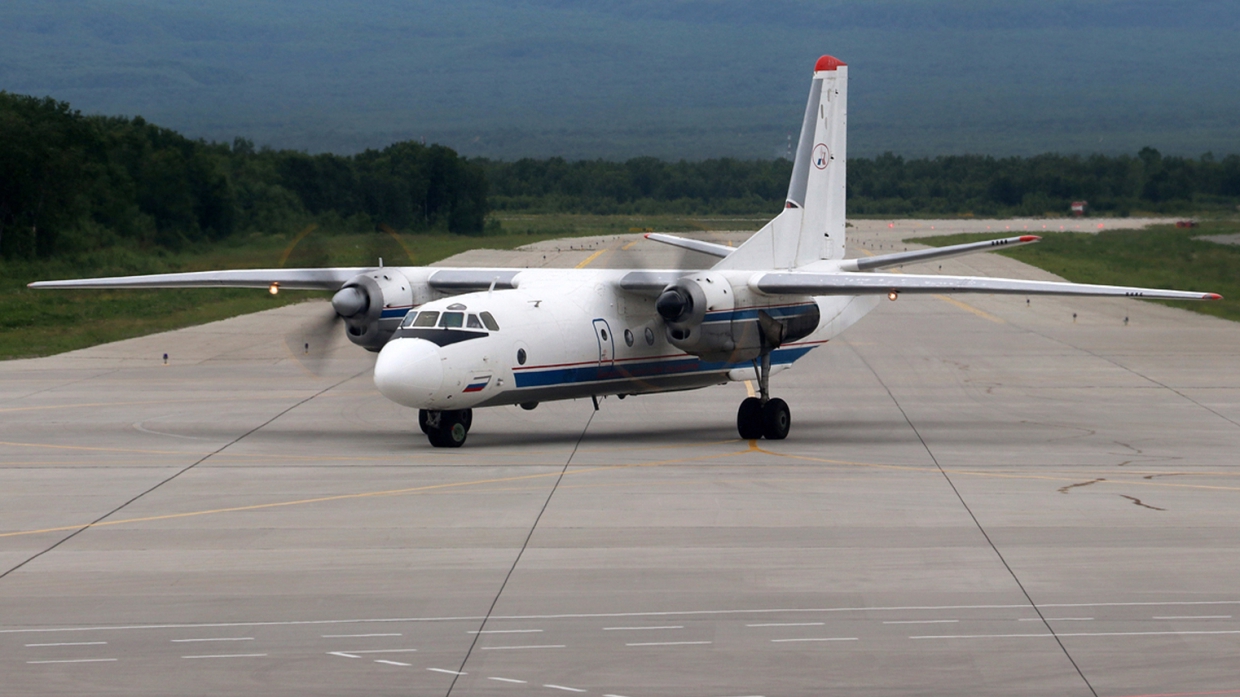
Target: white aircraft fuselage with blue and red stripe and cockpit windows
(567, 334)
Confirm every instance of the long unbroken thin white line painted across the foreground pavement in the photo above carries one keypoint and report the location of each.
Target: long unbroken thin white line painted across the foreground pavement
(601, 616)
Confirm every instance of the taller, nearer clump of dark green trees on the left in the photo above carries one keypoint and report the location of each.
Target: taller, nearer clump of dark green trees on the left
(71, 183)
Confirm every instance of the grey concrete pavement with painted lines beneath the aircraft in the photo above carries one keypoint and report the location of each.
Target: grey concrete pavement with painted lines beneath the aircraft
(979, 497)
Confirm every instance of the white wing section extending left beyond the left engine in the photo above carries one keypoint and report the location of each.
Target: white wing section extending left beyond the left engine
(296, 280)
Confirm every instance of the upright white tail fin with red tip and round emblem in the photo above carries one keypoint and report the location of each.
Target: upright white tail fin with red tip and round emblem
(813, 224)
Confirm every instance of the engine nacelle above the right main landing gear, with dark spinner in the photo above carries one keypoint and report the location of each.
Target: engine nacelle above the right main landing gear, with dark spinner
(697, 313)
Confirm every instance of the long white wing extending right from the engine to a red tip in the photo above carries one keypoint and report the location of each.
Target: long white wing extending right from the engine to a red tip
(792, 283)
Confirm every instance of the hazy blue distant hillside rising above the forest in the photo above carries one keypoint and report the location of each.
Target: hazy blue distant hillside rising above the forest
(619, 79)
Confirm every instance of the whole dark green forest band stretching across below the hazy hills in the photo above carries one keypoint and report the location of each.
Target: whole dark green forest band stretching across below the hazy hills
(73, 183)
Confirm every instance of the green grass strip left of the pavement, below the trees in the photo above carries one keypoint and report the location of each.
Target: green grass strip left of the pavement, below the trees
(42, 323)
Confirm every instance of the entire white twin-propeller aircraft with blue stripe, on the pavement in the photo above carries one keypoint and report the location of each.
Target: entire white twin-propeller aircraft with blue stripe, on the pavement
(454, 339)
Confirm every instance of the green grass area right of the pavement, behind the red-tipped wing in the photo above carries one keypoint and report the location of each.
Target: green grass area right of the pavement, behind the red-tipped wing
(1156, 257)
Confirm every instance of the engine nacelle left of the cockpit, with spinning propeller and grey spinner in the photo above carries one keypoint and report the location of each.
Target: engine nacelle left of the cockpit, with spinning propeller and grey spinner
(373, 306)
